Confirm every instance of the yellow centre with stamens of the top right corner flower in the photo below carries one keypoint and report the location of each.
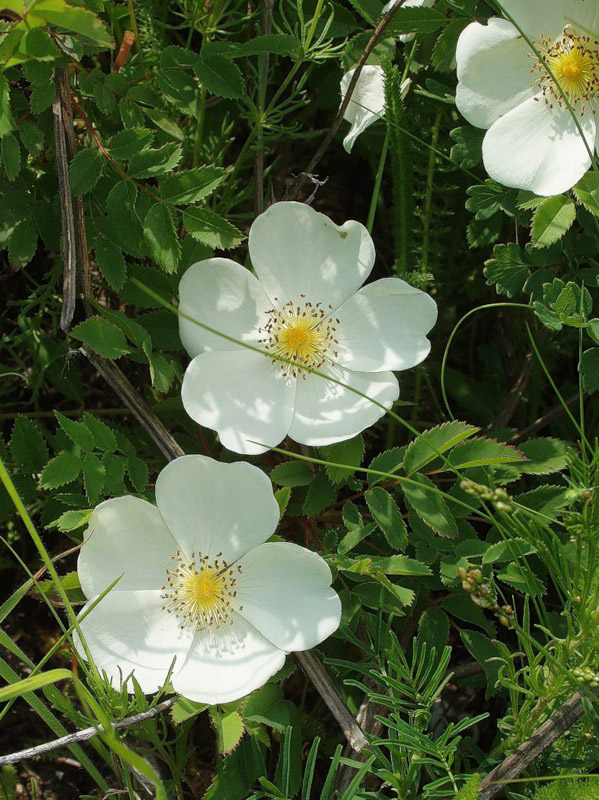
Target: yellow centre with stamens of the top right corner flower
(574, 62)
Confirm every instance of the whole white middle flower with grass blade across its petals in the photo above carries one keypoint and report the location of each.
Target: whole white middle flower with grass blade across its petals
(305, 305)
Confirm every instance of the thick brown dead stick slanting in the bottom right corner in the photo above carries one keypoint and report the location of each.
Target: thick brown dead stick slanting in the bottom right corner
(541, 740)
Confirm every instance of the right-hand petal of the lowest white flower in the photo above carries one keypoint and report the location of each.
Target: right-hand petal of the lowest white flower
(285, 591)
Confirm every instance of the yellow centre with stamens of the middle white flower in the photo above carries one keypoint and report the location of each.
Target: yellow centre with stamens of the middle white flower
(302, 333)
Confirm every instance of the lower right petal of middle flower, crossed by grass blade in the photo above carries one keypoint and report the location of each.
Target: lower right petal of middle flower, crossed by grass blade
(326, 413)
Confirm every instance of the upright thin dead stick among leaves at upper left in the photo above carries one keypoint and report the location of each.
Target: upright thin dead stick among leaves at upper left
(69, 289)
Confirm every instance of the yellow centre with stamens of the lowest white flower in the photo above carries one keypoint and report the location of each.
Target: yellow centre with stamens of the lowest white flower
(201, 593)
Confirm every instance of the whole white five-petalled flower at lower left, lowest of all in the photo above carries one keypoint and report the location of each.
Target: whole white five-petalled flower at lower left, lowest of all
(200, 583)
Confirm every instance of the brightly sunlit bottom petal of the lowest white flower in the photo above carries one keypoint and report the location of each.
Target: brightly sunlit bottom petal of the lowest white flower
(227, 663)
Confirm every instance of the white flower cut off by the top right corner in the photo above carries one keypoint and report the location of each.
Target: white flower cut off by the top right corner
(533, 141)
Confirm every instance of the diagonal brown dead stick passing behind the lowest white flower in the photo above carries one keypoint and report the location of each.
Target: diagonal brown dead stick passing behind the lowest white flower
(171, 449)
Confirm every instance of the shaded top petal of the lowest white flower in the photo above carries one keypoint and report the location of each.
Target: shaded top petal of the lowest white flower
(214, 507)
